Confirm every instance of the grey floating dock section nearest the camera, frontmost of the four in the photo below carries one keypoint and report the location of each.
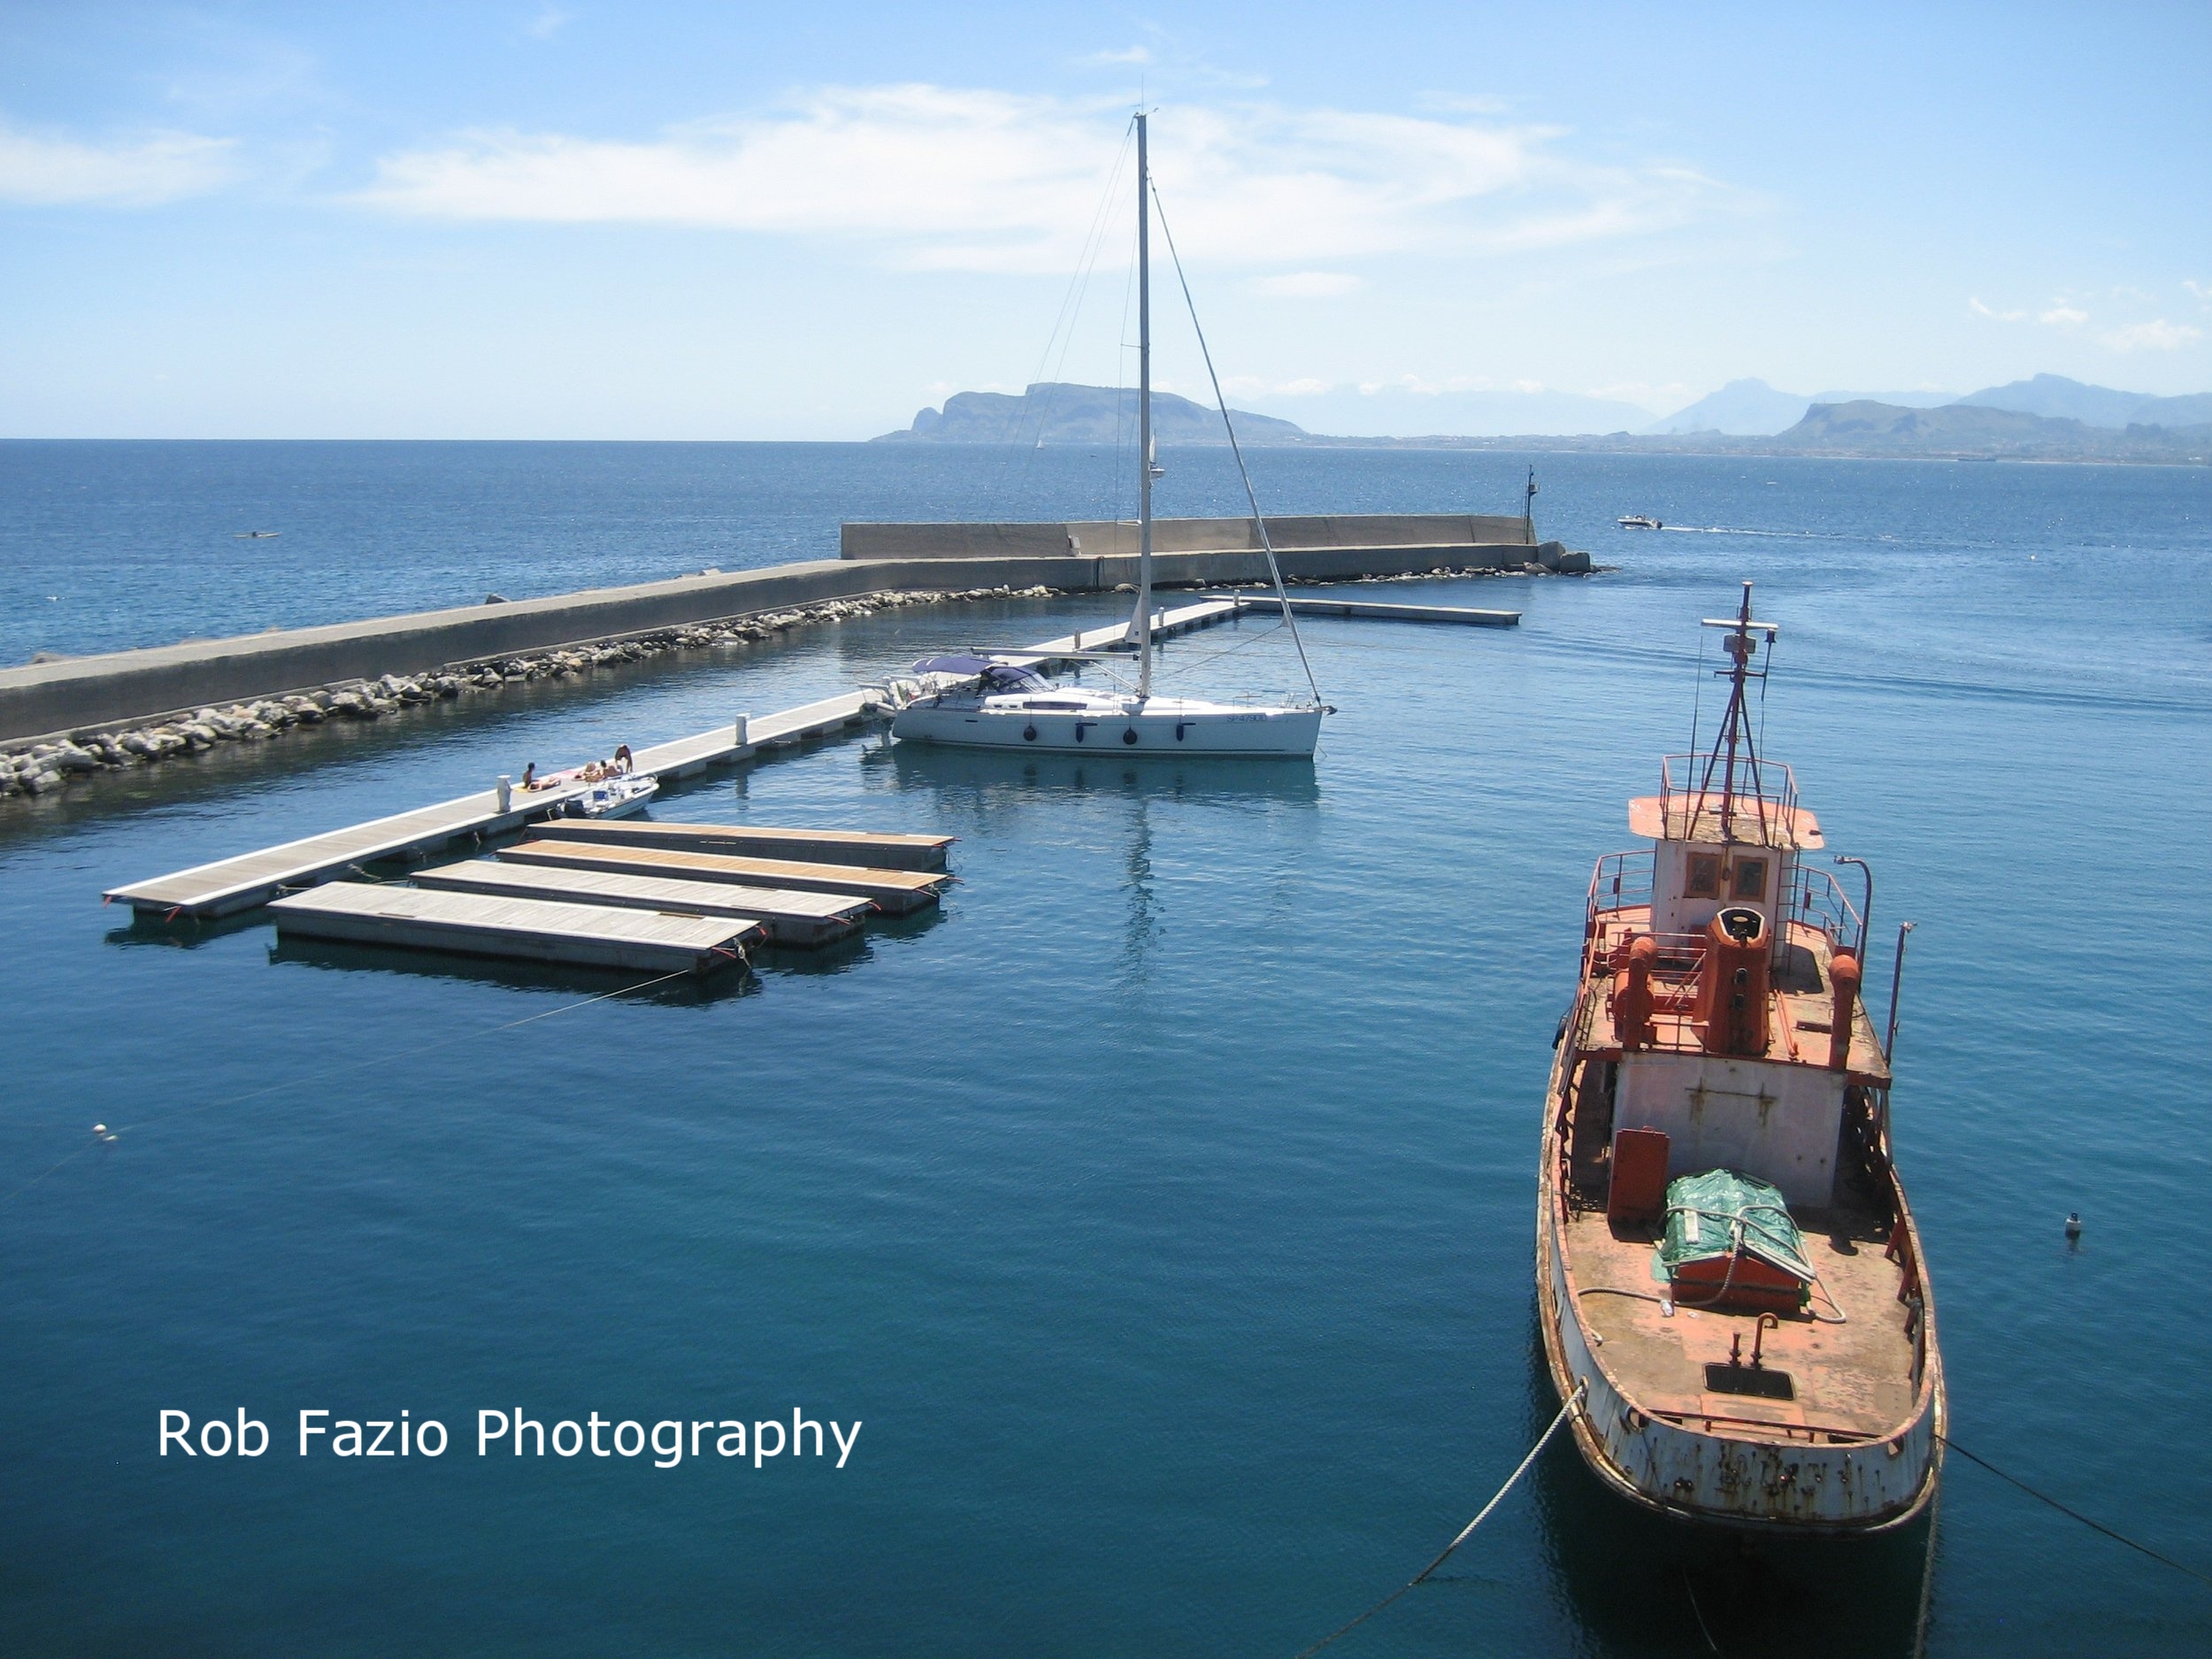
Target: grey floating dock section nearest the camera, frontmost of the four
(517, 928)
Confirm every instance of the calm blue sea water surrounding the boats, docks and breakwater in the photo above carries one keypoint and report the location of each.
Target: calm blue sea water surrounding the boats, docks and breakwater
(1162, 1207)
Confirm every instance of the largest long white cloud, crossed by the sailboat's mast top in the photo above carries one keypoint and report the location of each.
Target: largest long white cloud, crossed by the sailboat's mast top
(983, 180)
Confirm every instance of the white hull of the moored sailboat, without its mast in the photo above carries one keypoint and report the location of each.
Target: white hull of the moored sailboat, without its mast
(1114, 727)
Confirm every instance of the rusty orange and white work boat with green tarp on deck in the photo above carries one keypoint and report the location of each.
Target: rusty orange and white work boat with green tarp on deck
(1729, 1275)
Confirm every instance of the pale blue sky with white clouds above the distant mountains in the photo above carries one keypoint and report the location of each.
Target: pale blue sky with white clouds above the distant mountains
(572, 220)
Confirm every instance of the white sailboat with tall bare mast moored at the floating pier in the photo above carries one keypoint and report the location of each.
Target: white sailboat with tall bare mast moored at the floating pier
(1005, 702)
